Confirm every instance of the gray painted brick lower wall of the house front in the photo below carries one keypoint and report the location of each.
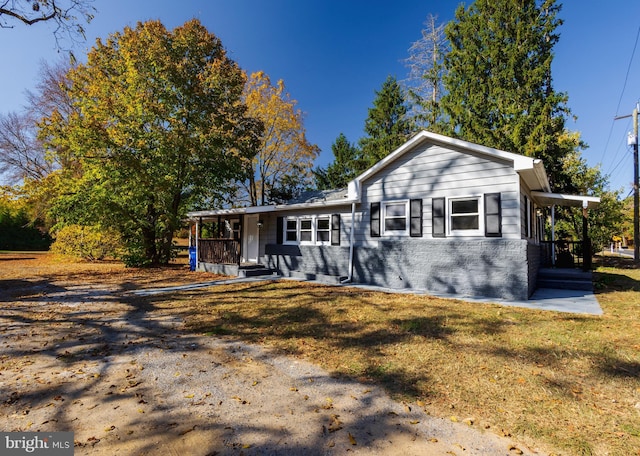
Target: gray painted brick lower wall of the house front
(494, 268)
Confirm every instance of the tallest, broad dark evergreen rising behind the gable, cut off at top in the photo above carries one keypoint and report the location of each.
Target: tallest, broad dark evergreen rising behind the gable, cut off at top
(498, 81)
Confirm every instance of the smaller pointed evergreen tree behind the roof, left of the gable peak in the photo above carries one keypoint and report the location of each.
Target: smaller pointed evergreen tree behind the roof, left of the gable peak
(388, 124)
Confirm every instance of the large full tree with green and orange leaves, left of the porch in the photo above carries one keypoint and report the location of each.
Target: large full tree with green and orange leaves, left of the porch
(159, 121)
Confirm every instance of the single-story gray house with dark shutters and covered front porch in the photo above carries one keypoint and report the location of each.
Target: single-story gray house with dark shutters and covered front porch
(438, 214)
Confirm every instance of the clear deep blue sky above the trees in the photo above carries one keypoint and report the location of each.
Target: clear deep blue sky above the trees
(333, 55)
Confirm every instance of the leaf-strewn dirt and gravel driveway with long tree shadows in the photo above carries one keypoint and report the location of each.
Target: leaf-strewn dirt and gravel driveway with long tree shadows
(91, 356)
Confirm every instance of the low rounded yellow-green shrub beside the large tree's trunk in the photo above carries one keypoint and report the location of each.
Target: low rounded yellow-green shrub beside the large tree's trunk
(87, 242)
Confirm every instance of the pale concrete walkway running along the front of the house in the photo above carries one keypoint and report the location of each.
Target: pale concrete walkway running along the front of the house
(572, 301)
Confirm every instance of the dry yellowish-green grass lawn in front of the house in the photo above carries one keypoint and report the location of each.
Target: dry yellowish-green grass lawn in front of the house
(567, 382)
